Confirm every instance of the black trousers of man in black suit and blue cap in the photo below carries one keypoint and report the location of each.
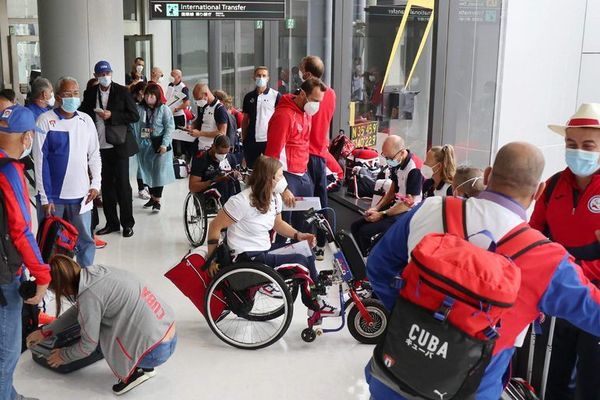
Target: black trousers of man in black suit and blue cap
(116, 190)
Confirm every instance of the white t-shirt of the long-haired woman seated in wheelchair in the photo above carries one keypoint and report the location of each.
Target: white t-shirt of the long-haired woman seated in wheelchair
(251, 229)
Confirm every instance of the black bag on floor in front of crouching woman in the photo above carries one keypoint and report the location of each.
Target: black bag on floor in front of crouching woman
(66, 338)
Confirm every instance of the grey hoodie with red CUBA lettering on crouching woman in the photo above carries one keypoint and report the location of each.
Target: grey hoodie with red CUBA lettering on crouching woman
(117, 311)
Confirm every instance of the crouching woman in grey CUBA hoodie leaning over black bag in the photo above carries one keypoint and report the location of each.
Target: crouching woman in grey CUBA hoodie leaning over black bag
(133, 326)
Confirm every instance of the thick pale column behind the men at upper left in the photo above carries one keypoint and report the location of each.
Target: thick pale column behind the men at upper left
(75, 34)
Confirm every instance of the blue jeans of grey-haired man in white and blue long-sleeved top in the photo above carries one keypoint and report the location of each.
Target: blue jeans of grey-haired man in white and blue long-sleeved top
(86, 246)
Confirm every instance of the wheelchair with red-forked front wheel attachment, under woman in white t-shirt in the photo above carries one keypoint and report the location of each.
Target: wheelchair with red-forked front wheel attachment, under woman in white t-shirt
(247, 318)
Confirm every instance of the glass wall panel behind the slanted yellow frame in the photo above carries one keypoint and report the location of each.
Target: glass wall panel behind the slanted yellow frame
(397, 108)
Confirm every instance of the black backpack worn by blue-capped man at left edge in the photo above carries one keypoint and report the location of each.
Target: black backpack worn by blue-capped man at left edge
(10, 258)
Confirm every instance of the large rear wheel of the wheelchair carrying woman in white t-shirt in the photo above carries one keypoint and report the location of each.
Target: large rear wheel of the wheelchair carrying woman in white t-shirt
(239, 286)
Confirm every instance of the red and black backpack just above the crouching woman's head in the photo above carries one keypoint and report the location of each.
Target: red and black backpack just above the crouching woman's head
(56, 236)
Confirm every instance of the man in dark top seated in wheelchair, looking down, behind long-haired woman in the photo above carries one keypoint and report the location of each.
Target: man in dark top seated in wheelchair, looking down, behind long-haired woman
(215, 170)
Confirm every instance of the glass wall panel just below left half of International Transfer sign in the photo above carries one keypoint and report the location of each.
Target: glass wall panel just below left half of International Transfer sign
(190, 50)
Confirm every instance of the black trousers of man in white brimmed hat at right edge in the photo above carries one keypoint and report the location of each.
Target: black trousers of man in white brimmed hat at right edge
(573, 347)
